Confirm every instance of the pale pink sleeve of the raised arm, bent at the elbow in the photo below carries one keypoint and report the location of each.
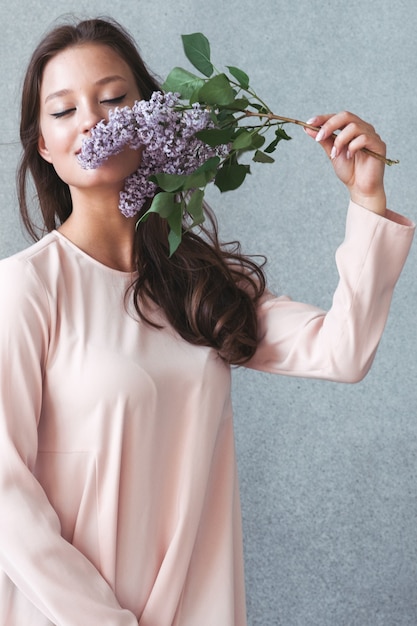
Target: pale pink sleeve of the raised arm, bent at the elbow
(297, 339)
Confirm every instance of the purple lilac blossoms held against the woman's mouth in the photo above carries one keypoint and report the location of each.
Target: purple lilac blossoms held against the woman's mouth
(166, 134)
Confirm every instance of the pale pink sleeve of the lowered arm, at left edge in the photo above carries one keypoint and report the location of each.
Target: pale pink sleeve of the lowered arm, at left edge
(57, 580)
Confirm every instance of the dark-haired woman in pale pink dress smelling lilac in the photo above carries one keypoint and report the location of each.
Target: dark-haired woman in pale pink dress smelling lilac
(118, 487)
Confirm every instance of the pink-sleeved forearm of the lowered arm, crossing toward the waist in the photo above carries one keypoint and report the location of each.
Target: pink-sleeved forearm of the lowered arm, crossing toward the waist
(52, 574)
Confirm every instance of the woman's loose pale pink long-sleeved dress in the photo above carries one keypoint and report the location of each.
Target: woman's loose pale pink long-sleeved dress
(118, 487)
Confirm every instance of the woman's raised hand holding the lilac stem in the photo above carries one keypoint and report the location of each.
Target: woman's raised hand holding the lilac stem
(362, 173)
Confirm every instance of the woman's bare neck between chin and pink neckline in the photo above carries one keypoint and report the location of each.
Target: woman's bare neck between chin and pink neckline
(102, 232)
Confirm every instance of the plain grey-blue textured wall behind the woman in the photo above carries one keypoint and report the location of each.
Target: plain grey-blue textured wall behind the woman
(328, 471)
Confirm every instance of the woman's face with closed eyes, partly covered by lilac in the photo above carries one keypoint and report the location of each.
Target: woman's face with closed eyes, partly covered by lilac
(80, 85)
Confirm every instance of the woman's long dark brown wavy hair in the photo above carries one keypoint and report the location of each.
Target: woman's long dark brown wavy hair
(207, 290)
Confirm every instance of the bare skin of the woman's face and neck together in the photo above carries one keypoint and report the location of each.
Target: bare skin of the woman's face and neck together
(79, 87)
